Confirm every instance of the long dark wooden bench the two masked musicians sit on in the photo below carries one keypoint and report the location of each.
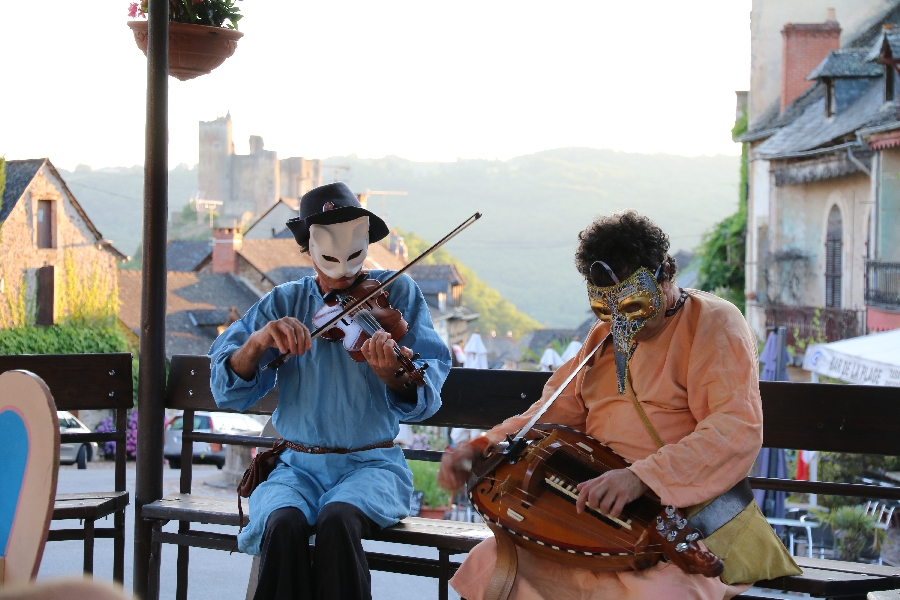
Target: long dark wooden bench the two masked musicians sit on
(828, 418)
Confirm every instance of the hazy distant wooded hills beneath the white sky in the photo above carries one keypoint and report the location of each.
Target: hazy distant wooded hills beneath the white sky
(533, 206)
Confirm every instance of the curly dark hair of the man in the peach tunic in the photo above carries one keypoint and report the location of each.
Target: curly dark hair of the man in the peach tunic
(626, 241)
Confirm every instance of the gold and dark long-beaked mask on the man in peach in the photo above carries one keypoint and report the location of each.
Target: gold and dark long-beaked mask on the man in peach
(628, 305)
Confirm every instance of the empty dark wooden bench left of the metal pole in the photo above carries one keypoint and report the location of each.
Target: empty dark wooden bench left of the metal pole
(88, 382)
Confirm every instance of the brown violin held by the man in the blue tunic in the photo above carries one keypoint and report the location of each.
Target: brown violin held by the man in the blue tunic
(361, 323)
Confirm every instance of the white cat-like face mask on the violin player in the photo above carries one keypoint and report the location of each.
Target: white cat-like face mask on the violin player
(340, 249)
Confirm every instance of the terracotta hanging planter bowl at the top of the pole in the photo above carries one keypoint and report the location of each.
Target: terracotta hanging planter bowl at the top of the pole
(194, 50)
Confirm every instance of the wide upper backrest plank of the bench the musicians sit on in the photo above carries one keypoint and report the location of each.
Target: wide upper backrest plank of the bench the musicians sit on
(808, 416)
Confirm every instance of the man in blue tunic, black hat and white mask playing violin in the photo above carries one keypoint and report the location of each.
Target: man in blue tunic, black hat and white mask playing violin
(341, 474)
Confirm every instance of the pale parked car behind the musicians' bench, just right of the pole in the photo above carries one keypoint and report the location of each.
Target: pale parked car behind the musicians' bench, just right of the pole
(206, 422)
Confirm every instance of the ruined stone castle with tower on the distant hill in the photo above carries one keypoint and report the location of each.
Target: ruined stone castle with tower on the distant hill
(248, 184)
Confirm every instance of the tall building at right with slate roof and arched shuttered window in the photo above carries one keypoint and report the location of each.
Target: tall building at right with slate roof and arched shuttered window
(822, 204)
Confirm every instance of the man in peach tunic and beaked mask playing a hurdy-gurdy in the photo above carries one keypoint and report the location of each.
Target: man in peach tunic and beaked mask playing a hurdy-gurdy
(674, 390)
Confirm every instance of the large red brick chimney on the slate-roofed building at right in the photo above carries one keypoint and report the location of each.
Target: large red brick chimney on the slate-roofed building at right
(805, 46)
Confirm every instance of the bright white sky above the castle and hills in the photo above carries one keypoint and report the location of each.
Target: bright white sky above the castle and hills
(428, 81)
